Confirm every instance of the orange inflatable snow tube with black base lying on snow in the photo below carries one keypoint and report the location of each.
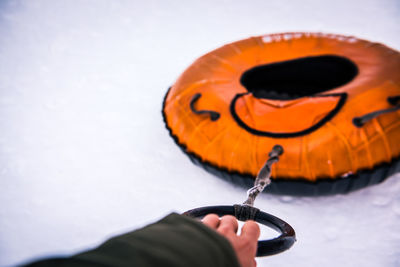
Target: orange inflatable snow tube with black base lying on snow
(331, 101)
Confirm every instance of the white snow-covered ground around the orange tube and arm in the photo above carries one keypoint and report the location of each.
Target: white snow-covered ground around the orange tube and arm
(84, 154)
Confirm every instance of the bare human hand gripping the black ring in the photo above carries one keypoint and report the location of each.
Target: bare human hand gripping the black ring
(245, 244)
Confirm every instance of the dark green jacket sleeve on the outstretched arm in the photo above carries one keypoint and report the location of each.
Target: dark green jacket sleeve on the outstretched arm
(176, 240)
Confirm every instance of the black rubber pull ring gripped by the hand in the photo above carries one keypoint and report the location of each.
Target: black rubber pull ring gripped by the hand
(265, 247)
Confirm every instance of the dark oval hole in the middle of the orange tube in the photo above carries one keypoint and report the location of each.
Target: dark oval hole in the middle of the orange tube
(299, 77)
